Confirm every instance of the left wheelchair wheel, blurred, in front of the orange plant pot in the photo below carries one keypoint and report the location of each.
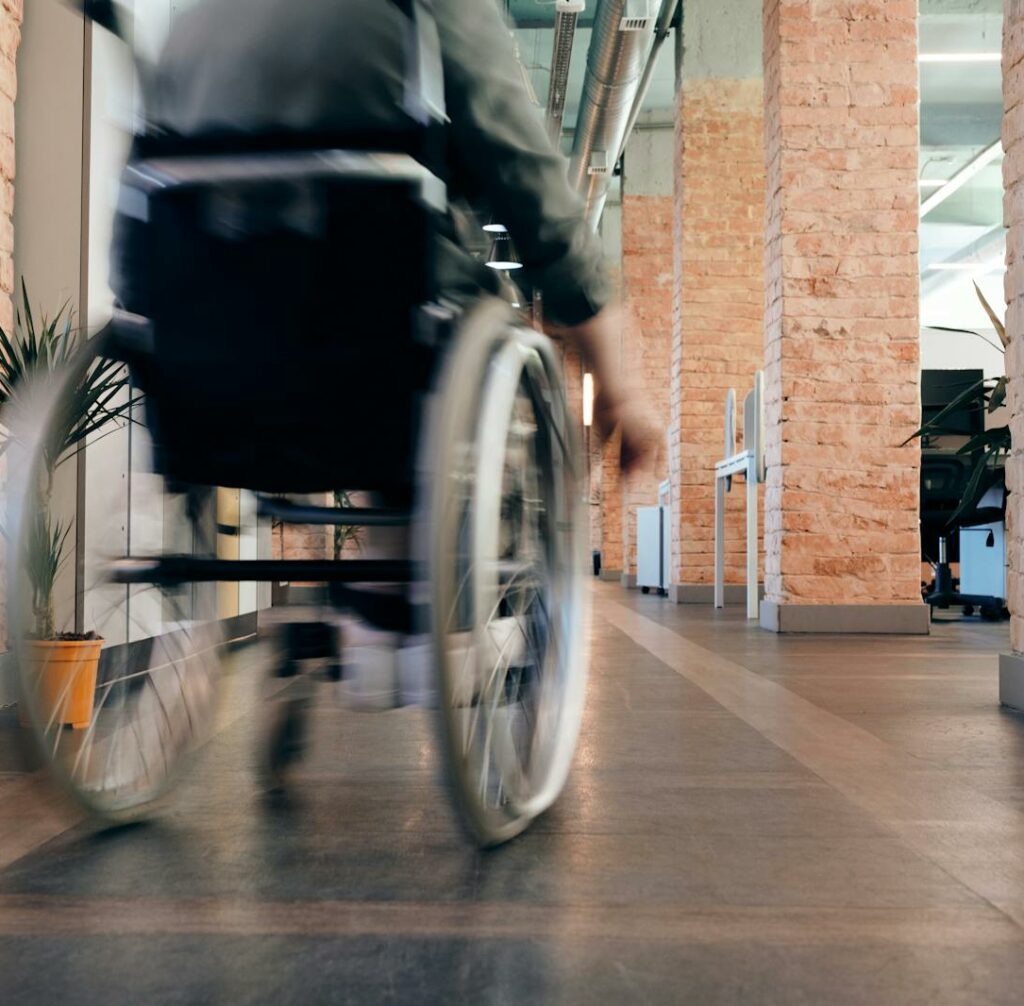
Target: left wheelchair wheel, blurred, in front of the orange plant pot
(114, 717)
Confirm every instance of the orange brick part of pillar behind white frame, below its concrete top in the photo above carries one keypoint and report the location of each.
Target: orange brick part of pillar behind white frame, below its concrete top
(718, 328)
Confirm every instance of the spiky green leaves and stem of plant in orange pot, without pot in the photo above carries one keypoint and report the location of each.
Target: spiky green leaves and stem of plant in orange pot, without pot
(98, 395)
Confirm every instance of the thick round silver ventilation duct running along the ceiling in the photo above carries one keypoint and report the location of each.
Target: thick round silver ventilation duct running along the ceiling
(622, 37)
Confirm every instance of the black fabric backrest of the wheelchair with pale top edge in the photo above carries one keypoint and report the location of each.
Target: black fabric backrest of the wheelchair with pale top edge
(280, 301)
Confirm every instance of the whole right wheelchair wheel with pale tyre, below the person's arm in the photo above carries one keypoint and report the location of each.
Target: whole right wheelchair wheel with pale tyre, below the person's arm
(505, 568)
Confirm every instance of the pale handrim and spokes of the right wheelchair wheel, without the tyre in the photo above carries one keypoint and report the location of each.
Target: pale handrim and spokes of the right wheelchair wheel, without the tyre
(511, 547)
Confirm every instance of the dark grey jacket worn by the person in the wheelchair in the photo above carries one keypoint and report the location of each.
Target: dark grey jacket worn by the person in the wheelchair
(337, 66)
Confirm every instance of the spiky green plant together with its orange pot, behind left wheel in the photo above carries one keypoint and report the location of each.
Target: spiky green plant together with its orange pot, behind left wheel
(64, 664)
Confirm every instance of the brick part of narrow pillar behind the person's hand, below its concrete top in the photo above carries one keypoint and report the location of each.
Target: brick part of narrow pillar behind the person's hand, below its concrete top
(648, 285)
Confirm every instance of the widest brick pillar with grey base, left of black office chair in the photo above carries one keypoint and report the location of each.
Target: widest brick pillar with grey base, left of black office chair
(842, 317)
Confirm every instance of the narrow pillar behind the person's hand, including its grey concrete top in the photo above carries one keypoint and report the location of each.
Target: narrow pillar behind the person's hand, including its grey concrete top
(648, 281)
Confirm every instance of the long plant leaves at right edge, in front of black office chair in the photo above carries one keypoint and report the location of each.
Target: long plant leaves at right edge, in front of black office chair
(989, 449)
